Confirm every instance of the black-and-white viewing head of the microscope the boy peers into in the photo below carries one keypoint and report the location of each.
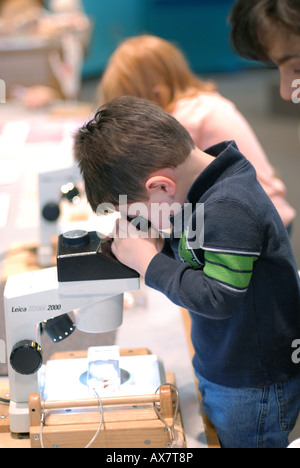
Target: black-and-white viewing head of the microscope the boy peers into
(85, 264)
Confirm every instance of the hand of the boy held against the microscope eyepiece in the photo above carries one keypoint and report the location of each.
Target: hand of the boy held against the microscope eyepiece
(134, 248)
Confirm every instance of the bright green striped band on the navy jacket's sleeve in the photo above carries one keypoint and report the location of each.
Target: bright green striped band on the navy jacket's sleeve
(233, 270)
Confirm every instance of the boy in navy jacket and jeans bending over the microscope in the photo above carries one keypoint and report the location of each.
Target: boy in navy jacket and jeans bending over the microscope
(240, 282)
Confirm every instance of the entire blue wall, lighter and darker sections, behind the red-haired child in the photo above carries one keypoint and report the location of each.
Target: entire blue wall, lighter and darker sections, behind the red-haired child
(198, 27)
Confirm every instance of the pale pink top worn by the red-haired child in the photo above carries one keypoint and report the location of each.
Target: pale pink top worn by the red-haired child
(211, 119)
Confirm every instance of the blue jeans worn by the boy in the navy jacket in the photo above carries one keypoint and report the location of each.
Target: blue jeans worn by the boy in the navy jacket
(252, 417)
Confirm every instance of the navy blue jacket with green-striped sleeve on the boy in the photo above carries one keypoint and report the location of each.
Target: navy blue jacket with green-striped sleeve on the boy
(241, 286)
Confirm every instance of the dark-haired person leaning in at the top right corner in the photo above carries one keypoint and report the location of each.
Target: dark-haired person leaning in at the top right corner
(269, 30)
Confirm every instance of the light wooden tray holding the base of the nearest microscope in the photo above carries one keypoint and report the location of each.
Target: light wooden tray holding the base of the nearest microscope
(128, 421)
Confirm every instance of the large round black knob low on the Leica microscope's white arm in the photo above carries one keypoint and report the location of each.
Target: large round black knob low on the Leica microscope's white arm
(26, 357)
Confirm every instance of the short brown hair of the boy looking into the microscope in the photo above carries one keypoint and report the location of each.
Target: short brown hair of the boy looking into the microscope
(127, 140)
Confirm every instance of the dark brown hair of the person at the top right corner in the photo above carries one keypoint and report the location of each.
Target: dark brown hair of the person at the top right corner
(256, 22)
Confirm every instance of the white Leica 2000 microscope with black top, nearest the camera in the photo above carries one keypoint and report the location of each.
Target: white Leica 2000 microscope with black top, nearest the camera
(89, 281)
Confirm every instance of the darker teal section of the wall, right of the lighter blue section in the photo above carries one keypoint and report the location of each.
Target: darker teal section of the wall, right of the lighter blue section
(199, 28)
